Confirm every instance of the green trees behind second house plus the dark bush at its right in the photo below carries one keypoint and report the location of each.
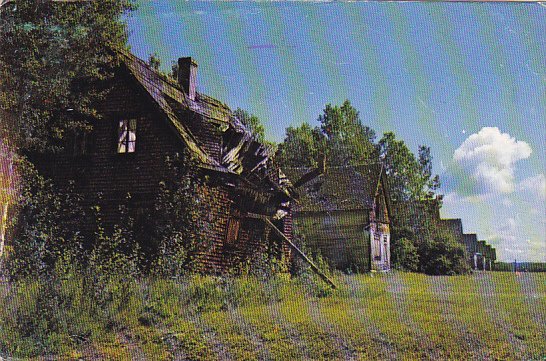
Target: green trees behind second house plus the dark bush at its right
(341, 139)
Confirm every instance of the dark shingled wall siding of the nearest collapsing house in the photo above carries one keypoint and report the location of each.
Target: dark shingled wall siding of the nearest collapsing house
(103, 171)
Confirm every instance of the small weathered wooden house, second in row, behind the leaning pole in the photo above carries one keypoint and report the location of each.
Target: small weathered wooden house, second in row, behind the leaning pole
(344, 213)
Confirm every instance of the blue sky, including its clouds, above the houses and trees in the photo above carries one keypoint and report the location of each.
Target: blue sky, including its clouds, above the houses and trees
(467, 79)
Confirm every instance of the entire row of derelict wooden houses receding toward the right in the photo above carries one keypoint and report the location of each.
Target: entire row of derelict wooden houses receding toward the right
(253, 206)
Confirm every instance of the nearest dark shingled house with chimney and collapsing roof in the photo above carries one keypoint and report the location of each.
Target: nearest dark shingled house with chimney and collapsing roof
(147, 117)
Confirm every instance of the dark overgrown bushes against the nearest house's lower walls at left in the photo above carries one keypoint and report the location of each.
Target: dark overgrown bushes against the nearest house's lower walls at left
(48, 228)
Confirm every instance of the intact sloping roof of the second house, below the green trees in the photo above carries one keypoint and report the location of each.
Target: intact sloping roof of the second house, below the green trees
(338, 188)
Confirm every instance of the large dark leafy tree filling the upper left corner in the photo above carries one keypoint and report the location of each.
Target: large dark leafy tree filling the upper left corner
(54, 60)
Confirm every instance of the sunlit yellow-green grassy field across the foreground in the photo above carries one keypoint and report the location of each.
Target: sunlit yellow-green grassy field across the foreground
(389, 316)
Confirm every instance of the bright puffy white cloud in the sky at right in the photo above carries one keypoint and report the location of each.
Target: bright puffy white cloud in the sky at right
(491, 155)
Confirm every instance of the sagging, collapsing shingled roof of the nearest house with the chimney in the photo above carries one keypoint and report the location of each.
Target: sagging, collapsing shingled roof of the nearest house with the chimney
(241, 155)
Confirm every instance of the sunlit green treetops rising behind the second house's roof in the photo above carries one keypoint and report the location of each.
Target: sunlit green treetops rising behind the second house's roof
(344, 140)
